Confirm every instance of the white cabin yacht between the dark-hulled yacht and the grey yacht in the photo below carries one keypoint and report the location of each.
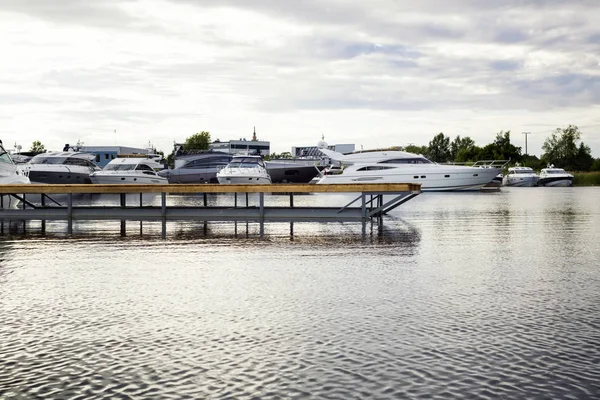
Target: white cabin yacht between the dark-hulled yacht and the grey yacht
(128, 170)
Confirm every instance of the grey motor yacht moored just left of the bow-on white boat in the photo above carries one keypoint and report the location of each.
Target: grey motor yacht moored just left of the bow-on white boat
(196, 167)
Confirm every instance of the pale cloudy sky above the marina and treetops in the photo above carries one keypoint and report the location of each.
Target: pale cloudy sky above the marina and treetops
(374, 73)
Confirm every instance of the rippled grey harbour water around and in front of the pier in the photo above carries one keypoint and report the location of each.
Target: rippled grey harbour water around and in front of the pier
(458, 295)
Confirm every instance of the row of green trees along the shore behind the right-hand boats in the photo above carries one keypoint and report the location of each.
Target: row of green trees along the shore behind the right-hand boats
(563, 148)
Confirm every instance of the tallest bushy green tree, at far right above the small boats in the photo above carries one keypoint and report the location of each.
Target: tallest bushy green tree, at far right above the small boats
(565, 149)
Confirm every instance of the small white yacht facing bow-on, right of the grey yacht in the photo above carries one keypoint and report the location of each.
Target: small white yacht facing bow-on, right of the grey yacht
(244, 170)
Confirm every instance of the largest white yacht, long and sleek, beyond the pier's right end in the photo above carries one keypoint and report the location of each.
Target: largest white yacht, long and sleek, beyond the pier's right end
(401, 167)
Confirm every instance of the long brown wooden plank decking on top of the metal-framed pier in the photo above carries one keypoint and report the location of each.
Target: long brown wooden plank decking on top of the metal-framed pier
(212, 188)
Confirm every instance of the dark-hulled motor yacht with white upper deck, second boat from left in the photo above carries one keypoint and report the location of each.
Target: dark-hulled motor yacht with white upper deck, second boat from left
(64, 167)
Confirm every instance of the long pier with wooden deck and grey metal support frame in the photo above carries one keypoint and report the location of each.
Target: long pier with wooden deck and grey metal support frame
(37, 203)
